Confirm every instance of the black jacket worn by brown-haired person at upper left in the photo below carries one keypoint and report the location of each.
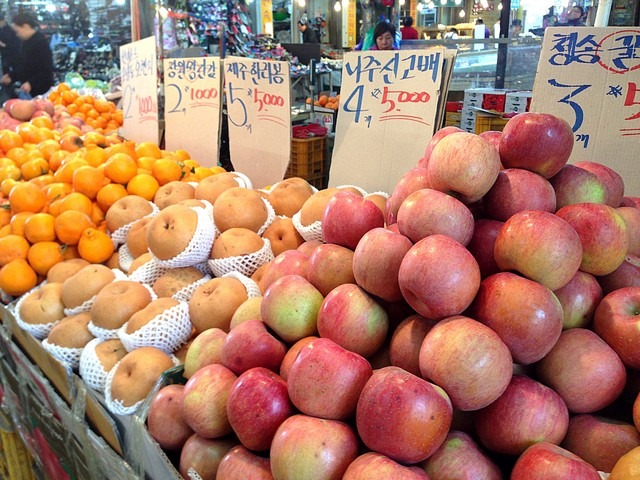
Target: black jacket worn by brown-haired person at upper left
(35, 64)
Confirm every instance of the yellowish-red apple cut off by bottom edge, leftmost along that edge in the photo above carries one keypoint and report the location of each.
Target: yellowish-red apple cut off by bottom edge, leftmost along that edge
(203, 456)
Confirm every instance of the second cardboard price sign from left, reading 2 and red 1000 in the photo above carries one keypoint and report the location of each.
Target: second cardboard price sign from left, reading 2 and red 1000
(192, 107)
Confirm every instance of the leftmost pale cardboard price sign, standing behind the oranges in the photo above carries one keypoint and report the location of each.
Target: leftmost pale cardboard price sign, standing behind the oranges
(139, 72)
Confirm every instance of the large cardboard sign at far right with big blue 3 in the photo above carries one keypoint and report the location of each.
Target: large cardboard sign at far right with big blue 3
(591, 78)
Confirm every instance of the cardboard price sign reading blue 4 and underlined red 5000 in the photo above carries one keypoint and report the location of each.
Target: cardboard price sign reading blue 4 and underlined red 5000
(388, 104)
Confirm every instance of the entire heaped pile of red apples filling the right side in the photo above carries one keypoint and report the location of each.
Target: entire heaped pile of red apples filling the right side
(485, 325)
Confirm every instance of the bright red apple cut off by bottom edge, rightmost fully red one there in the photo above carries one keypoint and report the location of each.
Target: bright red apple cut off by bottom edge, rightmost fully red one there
(544, 461)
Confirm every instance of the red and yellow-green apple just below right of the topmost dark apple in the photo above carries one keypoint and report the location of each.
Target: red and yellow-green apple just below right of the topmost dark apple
(575, 185)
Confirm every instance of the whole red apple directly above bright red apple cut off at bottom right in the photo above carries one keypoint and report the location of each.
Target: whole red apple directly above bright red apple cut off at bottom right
(526, 413)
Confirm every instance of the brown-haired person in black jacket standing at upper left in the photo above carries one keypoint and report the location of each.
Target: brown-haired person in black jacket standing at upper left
(34, 67)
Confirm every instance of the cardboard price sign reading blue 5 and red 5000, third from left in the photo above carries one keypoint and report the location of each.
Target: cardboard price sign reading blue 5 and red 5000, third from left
(258, 105)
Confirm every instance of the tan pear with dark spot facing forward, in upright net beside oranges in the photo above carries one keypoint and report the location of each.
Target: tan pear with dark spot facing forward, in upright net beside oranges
(171, 231)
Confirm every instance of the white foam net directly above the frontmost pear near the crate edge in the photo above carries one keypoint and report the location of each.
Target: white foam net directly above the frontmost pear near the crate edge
(166, 331)
